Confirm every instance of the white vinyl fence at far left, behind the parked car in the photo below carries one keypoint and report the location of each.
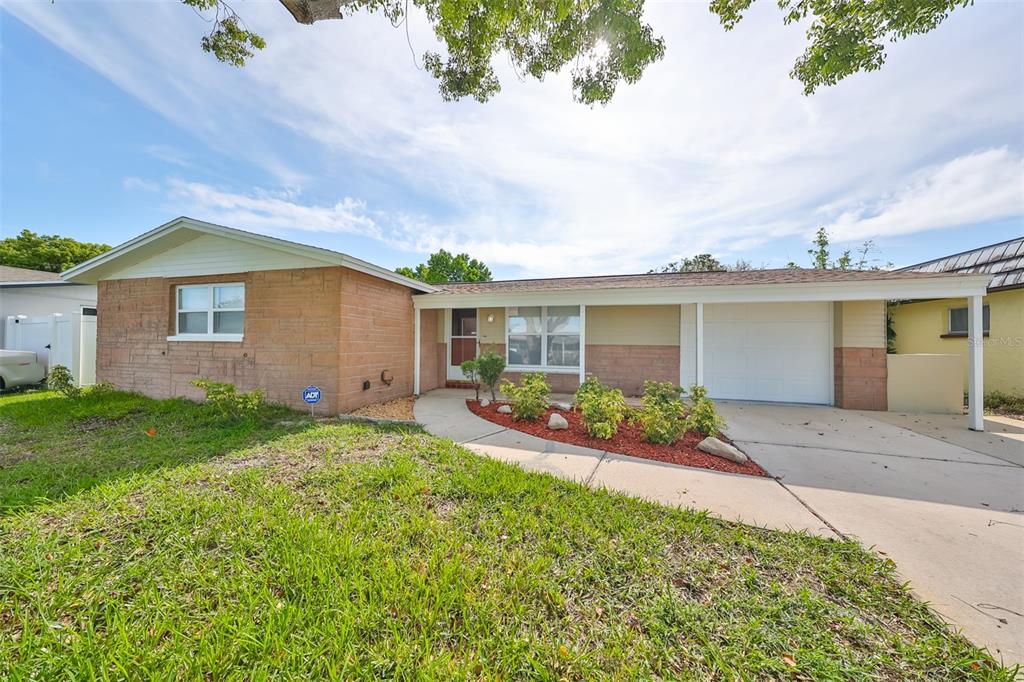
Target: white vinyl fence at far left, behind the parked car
(58, 339)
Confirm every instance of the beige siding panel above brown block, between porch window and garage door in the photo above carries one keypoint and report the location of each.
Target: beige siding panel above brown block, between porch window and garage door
(633, 325)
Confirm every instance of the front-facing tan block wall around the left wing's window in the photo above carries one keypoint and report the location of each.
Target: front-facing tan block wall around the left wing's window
(291, 339)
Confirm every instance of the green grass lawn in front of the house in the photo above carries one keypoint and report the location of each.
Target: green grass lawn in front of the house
(282, 547)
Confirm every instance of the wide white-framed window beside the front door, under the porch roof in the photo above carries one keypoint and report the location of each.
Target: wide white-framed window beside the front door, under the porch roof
(546, 337)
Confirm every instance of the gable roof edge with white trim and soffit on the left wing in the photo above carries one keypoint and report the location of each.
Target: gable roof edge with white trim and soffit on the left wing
(183, 230)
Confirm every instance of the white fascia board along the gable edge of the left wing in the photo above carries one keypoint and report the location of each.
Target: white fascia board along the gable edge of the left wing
(328, 258)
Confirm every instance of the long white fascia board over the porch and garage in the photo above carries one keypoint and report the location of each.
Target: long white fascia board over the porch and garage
(945, 287)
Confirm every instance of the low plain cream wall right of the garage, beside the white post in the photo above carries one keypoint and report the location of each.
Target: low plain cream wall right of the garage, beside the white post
(920, 383)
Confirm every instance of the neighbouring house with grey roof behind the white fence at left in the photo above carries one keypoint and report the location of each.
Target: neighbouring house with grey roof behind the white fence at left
(36, 293)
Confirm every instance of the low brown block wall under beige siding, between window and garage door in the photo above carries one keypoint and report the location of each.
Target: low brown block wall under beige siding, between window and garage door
(627, 367)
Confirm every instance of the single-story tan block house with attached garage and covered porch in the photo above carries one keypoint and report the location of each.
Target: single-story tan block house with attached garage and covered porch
(191, 300)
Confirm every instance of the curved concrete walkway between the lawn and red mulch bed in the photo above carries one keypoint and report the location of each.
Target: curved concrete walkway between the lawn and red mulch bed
(749, 499)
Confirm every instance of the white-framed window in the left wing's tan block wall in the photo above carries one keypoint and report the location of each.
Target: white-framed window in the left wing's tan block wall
(211, 310)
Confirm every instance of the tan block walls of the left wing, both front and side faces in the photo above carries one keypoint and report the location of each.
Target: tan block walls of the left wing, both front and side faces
(331, 327)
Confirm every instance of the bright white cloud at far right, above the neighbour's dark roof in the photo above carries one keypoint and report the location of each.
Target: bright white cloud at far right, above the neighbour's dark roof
(977, 188)
